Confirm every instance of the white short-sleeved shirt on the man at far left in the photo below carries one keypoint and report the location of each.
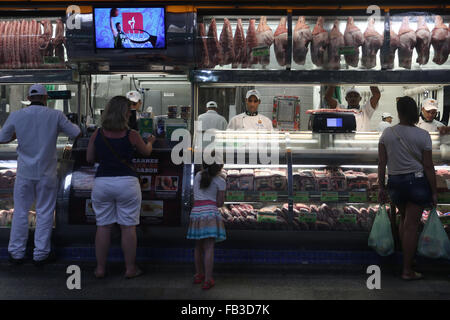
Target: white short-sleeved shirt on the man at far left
(37, 128)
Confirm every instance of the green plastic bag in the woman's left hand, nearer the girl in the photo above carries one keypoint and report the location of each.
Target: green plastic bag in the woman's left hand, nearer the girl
(380, 238)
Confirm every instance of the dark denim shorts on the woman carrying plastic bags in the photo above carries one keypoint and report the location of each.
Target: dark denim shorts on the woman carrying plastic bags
(407, 187)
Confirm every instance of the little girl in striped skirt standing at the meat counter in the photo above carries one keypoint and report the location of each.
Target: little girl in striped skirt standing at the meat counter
(206, 224)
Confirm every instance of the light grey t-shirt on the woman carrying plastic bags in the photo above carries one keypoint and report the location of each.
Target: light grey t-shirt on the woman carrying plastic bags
(399, 159)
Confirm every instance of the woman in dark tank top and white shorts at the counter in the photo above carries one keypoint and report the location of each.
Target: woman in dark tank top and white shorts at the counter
(116, 195)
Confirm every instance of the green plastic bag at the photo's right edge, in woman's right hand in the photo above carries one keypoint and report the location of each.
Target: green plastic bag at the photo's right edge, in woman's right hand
(434, 242)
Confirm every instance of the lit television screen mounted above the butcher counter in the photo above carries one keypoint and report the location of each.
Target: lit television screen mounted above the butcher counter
(129, 28)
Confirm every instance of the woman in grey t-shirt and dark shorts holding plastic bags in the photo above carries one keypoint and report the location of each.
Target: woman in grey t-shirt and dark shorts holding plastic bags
(406, 150)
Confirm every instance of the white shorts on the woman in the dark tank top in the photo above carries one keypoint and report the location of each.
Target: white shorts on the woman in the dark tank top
(117, 200)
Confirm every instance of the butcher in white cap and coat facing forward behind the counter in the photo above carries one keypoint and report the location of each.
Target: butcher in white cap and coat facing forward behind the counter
(251, 119)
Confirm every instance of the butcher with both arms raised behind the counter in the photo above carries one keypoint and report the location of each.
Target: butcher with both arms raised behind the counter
(353, 98)
